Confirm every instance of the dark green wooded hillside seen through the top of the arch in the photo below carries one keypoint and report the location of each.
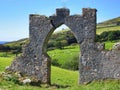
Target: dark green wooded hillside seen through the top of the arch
(61, 39)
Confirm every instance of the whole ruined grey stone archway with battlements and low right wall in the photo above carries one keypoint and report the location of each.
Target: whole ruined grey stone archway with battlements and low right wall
(95, 63)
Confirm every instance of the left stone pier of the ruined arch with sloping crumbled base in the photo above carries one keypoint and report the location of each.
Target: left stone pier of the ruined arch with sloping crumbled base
(34, 63)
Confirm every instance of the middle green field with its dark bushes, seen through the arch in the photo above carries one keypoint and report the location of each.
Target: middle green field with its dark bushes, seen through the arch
(66, 58)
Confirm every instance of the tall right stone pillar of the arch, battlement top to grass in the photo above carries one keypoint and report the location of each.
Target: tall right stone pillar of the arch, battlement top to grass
(88, 45)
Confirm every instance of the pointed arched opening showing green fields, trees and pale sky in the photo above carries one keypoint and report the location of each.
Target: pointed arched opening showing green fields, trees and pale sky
(64, 52)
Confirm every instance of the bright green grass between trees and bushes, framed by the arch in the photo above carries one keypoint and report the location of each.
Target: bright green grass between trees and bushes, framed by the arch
(64, 55)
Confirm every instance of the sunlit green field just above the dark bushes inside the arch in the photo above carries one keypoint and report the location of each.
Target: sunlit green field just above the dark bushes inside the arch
(66, 55)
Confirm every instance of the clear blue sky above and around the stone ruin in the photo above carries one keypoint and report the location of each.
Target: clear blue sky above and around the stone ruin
(14, 14)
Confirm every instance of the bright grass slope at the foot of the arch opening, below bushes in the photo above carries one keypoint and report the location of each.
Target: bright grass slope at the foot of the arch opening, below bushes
(64, 77)
